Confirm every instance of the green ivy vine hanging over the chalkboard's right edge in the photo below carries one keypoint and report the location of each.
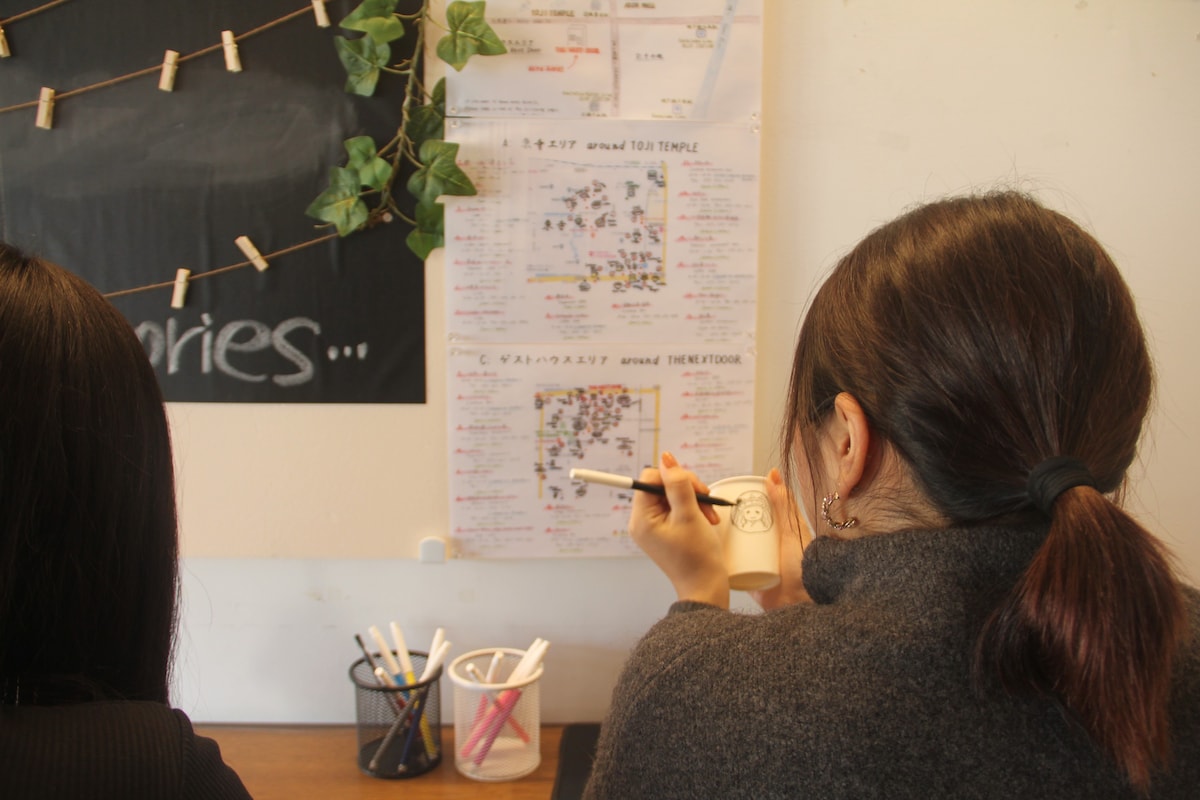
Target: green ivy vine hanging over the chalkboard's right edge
(361, 195)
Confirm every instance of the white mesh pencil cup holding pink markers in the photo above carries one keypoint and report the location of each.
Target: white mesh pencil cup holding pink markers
(497, 725)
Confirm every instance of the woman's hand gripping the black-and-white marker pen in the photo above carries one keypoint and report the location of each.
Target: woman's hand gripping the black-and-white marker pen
(680, 534)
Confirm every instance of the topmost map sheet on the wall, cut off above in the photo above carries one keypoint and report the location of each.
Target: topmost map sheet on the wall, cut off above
(625, 59)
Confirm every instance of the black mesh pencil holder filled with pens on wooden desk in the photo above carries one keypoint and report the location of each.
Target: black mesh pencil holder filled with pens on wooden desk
(399, 729)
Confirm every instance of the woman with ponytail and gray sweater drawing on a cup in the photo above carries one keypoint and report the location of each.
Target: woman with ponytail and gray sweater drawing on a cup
(976, 616)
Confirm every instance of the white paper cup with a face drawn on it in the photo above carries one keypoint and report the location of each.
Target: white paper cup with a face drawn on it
(749, 532)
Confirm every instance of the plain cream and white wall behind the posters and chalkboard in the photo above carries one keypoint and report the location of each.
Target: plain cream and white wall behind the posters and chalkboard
(871, 106)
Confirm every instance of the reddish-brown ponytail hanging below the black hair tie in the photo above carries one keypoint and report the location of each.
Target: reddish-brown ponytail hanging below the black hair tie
(1095, 621)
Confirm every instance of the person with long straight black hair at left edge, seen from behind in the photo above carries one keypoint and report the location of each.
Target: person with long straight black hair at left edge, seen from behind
(88, 556)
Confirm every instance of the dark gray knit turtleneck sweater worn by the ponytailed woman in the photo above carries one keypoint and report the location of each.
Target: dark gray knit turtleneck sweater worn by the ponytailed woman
(866, 694)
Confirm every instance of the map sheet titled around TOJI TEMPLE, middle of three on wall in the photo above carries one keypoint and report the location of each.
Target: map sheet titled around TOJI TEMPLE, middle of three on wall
(604, 232)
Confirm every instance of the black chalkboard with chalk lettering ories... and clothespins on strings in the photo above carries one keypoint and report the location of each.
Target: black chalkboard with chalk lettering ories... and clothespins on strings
(133, 183)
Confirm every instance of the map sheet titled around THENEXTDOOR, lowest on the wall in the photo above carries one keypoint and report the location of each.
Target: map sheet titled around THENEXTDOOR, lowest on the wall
(523, 417)
